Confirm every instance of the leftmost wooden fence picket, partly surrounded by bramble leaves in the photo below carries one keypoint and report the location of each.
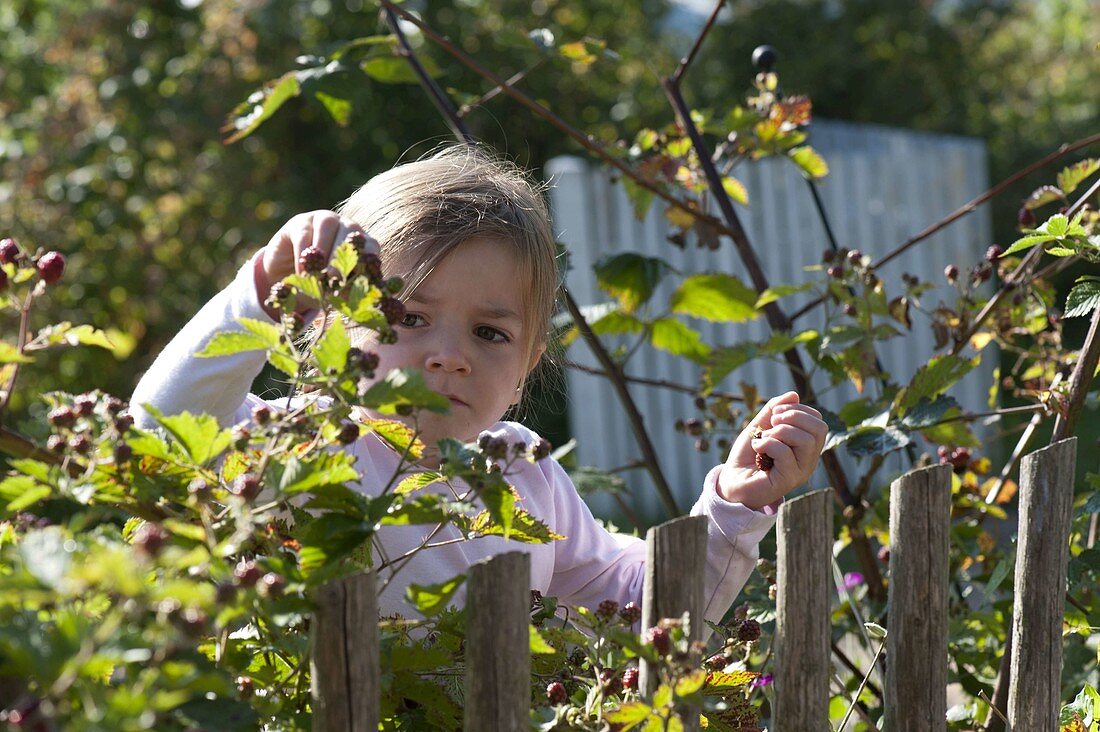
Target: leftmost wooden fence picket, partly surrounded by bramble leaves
(345, 661)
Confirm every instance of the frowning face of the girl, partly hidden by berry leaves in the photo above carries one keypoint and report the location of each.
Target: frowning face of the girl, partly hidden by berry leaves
(466, 331)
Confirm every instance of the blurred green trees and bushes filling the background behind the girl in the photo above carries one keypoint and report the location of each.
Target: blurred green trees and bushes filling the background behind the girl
(111, 113)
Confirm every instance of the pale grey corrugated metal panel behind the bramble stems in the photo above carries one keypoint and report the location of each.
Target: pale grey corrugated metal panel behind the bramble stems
(885, 185)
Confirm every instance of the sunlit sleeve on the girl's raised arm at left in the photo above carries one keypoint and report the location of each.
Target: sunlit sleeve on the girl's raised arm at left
(180, 381)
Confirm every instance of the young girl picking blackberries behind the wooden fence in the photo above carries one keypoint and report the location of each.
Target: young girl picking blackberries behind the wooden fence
(471, 238)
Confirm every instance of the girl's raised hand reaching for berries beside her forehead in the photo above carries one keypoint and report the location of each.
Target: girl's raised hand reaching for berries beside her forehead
(281, 257)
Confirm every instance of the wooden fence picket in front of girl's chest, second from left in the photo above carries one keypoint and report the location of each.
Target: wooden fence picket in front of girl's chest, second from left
(499, 660)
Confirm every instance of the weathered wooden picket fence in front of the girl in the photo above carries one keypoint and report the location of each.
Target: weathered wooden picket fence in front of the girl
(346, 665)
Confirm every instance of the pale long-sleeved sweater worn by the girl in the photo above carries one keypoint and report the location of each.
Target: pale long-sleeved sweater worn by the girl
(589, 566)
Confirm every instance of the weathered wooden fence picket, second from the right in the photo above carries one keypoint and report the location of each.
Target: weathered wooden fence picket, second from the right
(917, 617)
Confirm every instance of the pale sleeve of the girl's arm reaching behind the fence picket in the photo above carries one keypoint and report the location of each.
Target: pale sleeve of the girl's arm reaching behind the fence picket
(593, 565)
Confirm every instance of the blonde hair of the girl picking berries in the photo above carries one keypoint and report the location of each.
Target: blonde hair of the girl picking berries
(421, 212)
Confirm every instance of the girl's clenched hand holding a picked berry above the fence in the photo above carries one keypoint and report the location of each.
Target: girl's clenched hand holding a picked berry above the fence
(793, 435)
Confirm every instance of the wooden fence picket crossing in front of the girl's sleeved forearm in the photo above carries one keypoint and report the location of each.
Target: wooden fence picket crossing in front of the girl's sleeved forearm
(676, 563)
